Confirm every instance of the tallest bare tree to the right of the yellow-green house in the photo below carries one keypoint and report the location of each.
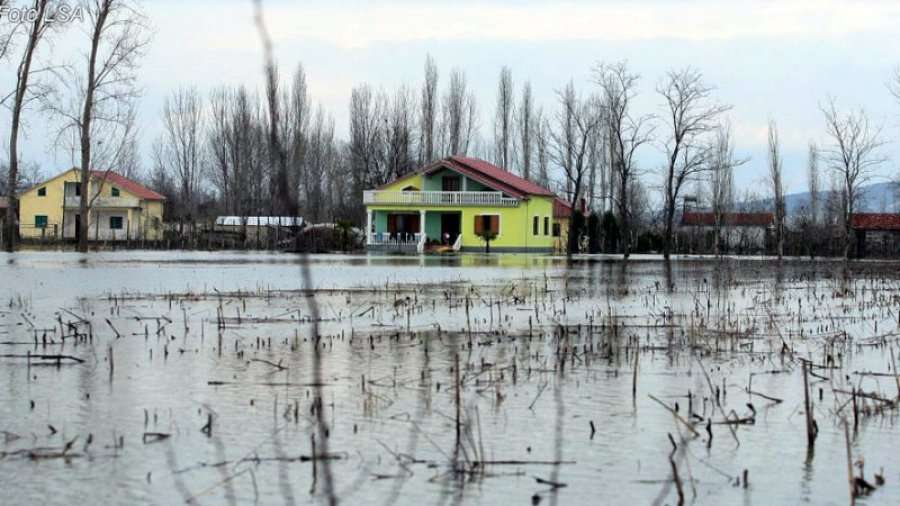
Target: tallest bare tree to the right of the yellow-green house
(627, 133)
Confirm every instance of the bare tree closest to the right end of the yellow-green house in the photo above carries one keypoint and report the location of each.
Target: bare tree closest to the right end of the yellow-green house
(576, 124)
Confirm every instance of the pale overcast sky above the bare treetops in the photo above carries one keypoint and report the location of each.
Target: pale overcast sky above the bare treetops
(769, 59)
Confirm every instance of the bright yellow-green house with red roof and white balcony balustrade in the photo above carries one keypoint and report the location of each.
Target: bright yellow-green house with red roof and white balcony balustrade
(454, 203)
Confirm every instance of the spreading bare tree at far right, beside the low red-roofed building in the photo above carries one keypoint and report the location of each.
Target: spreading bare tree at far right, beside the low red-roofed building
(853, 155)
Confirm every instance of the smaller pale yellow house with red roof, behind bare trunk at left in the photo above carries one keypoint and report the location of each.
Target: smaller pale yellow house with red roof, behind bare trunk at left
(120, 209)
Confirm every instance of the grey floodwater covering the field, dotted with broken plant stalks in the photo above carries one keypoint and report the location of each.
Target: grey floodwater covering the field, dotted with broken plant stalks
(547, 391)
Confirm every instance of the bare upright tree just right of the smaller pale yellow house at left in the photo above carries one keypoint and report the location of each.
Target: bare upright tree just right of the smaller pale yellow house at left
(181, 149)
